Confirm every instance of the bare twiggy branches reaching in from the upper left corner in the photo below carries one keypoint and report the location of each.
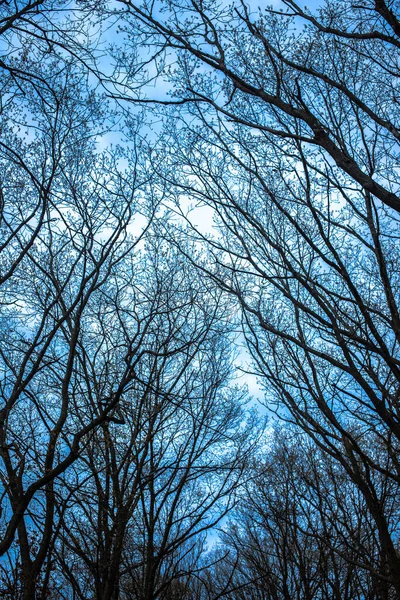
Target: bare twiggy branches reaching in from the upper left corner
(44, 44)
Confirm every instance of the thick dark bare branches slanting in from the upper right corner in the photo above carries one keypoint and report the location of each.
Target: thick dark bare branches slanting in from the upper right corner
(307, 87)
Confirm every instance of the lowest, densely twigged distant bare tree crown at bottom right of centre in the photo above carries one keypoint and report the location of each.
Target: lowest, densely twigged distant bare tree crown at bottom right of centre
(302, 530)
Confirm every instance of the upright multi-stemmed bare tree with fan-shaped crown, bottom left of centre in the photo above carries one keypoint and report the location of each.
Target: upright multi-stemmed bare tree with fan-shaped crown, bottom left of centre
(165, 470)
